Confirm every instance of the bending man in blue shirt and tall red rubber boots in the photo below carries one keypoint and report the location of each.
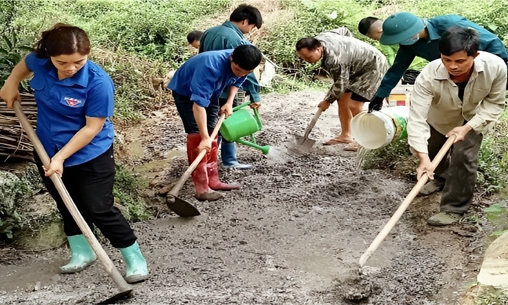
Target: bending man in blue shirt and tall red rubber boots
(196, 88)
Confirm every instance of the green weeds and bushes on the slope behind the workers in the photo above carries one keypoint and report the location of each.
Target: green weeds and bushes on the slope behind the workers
(153, 33)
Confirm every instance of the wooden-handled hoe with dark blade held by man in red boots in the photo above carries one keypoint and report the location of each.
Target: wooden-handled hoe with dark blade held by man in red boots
(181, 207)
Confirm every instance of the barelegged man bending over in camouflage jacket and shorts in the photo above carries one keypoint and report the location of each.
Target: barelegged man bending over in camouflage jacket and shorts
(356, 68)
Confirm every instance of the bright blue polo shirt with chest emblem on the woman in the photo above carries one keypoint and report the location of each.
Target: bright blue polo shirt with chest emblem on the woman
(63, 105)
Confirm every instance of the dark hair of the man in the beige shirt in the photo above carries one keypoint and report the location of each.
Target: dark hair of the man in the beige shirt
(456, 39)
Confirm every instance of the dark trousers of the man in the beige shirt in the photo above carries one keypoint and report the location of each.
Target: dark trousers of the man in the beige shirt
(458, 167)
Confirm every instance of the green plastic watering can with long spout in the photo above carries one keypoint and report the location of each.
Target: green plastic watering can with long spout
(242, 124)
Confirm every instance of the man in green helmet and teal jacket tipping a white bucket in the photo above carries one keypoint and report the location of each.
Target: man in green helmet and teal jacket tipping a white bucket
(420, 37)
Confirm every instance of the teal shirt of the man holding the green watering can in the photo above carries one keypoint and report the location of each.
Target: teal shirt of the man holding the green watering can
(229, 36)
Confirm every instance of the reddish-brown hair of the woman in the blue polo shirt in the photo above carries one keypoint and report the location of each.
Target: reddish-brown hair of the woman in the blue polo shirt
(62, 39)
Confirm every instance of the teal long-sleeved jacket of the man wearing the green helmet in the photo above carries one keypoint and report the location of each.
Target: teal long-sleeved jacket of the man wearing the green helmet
(429, 49)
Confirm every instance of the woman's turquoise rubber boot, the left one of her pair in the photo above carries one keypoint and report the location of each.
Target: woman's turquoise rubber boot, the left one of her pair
(82, 255)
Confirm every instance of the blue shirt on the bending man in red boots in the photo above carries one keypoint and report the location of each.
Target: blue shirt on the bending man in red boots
(203, 77)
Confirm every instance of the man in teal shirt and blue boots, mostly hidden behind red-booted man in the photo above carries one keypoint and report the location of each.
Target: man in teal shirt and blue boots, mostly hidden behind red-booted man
(230, 35)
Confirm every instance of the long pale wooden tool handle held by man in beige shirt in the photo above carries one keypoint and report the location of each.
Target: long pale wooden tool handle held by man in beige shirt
(409, 198)
